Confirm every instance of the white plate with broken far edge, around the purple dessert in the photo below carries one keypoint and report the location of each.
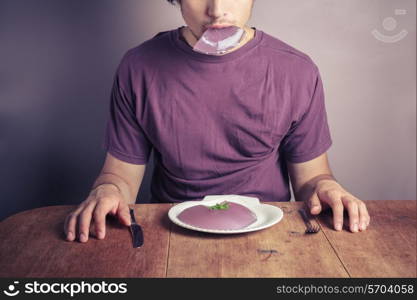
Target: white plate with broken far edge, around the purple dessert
(267, 215)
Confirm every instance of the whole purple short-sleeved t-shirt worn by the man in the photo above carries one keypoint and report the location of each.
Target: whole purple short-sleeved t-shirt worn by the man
(217, 124)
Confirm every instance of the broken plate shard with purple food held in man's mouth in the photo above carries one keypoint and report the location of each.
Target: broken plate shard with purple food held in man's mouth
(218, 40)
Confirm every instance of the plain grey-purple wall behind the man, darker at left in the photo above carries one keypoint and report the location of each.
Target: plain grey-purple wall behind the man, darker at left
(58, 58)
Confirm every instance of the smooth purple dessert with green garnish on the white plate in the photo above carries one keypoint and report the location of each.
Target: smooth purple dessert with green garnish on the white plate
(222, 216)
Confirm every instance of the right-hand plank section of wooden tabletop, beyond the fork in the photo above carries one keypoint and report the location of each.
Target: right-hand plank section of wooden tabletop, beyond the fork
(386, 249)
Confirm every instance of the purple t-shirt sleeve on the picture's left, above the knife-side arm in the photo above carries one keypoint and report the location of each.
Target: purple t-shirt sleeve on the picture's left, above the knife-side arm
(124, 136)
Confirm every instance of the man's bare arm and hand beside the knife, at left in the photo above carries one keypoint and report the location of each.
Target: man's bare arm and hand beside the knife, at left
(116, 187)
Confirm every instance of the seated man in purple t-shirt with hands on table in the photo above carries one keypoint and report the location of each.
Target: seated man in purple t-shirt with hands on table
(235, 123)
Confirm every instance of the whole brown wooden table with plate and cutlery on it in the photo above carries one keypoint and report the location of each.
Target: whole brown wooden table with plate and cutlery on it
(33, 245)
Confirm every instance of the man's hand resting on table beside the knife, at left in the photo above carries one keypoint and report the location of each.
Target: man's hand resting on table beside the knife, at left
(104, 199)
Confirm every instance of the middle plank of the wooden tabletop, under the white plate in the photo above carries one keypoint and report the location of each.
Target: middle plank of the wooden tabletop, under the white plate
(195, 254)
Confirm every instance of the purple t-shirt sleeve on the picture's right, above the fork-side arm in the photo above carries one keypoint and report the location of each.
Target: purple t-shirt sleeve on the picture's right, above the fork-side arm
(309, 137)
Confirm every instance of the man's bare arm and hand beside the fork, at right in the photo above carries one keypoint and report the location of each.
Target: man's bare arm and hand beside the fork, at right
(314, 183)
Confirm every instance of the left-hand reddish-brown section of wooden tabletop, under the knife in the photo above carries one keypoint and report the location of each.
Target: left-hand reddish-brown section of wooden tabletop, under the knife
(33, 245)
